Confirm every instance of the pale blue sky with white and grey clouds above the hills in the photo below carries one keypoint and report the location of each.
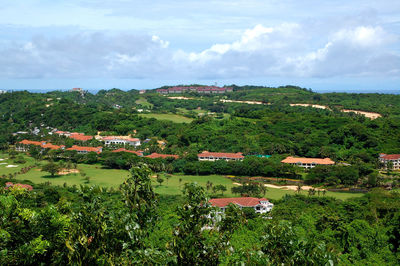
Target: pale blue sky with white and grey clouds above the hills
(336, 45)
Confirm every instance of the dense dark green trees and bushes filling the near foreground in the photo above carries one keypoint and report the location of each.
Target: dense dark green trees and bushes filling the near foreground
(132, 225)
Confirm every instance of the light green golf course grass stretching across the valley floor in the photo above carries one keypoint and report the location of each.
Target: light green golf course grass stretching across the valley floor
(113, 178)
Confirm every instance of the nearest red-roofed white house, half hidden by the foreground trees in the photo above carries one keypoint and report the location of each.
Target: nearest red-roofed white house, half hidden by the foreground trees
(260, 205)
